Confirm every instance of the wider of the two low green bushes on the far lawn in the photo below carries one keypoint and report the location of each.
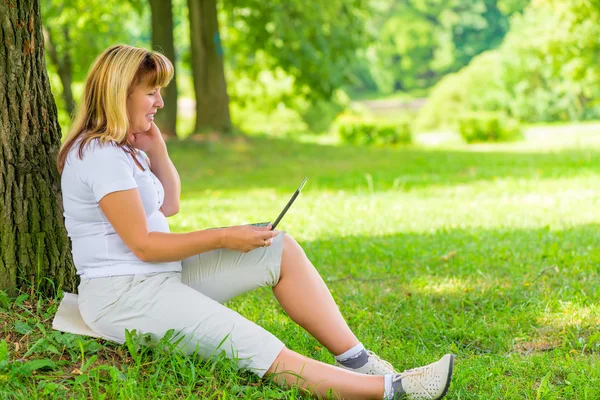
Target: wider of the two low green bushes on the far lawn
(374, 133)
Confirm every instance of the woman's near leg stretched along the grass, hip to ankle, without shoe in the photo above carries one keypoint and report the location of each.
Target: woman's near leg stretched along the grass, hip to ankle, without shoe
(153, 304)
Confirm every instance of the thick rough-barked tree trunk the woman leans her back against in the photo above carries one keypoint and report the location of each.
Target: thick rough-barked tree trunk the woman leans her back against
(33, 241)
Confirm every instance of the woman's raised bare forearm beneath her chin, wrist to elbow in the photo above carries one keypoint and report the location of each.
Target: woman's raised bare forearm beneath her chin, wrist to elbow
(162, 166)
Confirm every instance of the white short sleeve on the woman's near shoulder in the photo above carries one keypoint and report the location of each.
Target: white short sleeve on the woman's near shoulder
(106, 169)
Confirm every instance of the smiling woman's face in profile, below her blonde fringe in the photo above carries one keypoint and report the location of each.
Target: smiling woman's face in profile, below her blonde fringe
(142, 104)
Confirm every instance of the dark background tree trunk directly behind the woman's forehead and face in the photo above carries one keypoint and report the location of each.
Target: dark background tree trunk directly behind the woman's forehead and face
(162, 40)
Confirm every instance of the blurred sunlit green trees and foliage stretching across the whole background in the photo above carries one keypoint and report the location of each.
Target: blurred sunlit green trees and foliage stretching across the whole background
(292, 66)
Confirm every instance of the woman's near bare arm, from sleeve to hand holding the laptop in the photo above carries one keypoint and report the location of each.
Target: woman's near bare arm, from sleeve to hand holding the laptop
(125, 212)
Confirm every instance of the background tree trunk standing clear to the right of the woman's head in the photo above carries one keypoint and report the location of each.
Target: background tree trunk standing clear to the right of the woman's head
(212, 101)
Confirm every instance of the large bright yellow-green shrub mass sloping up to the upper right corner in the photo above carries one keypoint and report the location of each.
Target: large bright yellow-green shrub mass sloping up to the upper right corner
(547, 69)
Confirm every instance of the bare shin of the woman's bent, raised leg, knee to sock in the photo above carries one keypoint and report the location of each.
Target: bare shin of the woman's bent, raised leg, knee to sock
(306, 299)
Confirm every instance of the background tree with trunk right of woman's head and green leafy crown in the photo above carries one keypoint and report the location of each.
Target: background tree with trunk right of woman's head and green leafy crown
(312, 43)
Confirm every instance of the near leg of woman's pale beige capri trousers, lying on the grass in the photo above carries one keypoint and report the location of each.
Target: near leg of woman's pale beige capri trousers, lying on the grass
(155, 303)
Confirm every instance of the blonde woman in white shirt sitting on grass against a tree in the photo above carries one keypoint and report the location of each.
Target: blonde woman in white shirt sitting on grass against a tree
(118, 187)
